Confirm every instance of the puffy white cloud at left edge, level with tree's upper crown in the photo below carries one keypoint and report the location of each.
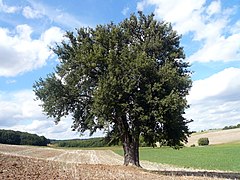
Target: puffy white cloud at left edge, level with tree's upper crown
(20, 53)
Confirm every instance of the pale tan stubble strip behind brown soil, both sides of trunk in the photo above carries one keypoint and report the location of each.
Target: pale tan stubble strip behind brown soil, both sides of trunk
(107, 157)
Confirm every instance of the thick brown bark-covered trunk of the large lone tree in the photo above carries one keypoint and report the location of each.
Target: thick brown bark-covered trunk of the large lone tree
(131, 150)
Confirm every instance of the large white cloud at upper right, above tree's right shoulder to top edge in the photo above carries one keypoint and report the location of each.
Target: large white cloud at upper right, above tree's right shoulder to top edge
(209, 23)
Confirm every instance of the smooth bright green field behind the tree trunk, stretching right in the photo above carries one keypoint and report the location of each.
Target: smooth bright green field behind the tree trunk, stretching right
(219, 157)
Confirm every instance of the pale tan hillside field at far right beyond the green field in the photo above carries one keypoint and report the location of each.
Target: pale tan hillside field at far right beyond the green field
(216, 137)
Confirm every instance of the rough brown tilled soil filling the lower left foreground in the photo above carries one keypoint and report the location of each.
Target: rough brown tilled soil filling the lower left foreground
(17, 167)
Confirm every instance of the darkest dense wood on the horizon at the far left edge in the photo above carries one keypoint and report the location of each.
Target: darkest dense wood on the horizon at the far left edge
(22, 138)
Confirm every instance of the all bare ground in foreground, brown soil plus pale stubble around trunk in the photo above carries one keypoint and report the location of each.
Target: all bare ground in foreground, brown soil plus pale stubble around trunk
(27, 162)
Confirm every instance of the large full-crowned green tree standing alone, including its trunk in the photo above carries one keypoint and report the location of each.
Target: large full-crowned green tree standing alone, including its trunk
(128, 78)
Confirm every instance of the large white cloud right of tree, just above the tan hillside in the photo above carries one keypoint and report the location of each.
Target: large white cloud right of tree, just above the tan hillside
(215, 101)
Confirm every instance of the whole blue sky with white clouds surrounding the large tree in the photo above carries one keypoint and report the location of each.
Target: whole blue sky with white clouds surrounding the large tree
(210, 32)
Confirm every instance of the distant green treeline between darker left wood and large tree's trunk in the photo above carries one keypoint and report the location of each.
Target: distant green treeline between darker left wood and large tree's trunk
(92, 142)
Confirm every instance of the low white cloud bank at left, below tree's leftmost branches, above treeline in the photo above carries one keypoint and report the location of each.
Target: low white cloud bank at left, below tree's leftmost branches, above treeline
(19, 111)
